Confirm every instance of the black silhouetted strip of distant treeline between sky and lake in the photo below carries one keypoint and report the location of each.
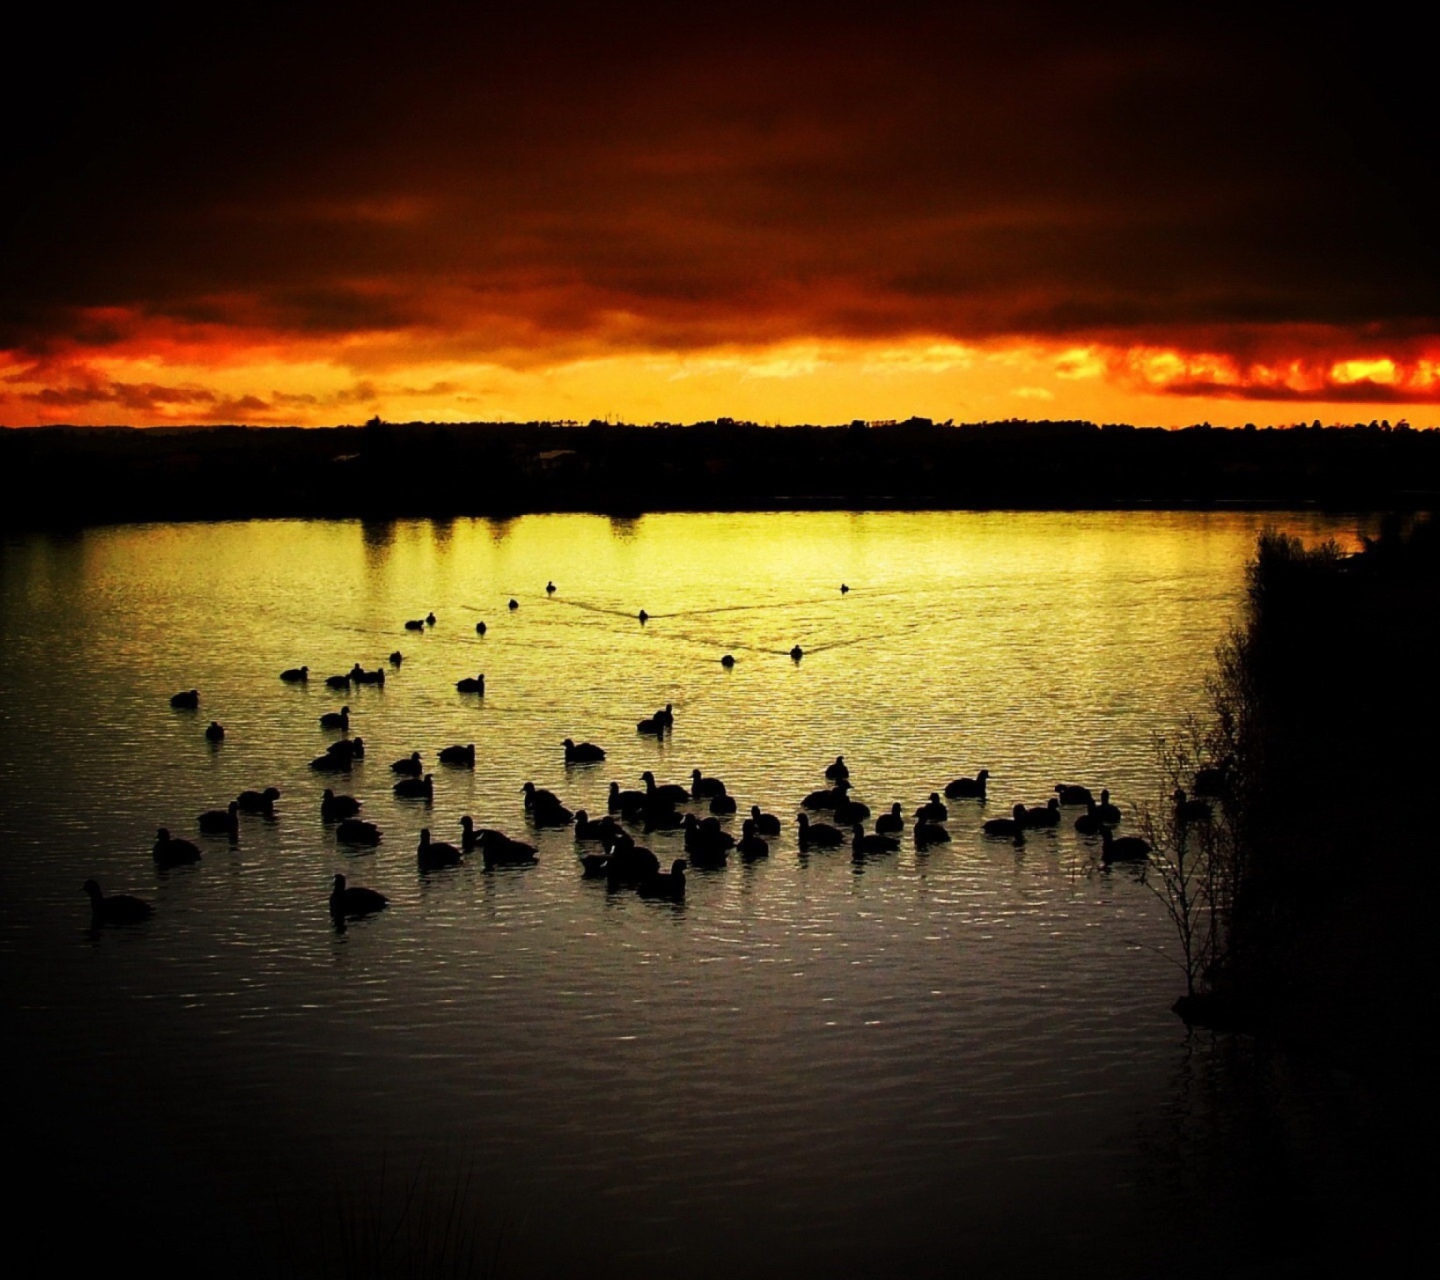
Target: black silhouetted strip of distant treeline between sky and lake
(67, 476)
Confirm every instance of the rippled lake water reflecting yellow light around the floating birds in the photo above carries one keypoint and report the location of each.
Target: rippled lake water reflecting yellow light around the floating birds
(957, 1062)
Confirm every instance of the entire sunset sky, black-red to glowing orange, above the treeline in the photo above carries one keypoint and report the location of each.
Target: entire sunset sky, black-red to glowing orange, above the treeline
(771, 212)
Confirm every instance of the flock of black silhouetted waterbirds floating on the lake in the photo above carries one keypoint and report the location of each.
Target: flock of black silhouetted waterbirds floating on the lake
(608, 849)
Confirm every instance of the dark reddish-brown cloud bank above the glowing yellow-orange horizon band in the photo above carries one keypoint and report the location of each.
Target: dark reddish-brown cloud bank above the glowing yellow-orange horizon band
(516, 179)
